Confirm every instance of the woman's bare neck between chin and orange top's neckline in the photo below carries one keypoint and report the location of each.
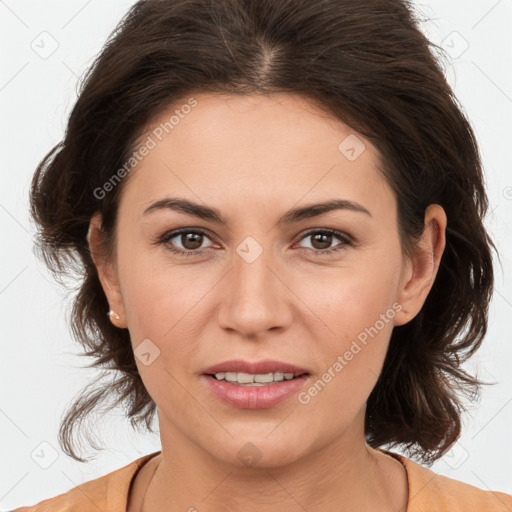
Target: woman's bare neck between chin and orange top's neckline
(345, 475)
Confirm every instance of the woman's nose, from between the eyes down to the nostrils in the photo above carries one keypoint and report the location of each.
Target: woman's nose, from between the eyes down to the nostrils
(254, 297)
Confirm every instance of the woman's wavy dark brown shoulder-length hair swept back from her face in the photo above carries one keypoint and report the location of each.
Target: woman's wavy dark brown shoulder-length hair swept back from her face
(365, 62)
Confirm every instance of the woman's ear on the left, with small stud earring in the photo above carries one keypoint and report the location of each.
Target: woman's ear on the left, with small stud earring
(106, 270)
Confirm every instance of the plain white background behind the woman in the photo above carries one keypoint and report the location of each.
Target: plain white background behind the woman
(39, 373)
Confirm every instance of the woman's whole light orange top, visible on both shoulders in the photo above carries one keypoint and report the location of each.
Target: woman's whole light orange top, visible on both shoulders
(428, 492)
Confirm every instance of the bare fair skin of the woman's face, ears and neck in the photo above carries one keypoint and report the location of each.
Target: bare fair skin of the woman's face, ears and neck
(253, 158)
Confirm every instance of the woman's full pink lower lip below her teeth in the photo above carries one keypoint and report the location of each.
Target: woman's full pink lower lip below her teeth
(255, 397)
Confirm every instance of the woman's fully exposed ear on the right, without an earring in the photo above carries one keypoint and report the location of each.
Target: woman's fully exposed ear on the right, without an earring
(421, 269)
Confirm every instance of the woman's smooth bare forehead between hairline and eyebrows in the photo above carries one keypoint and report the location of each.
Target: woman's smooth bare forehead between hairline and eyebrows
(254, 148)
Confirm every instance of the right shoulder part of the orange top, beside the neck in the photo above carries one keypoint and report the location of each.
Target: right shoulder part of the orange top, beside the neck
(430, 491)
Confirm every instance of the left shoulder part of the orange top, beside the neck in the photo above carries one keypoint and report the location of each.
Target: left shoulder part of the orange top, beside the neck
(108, 492)
